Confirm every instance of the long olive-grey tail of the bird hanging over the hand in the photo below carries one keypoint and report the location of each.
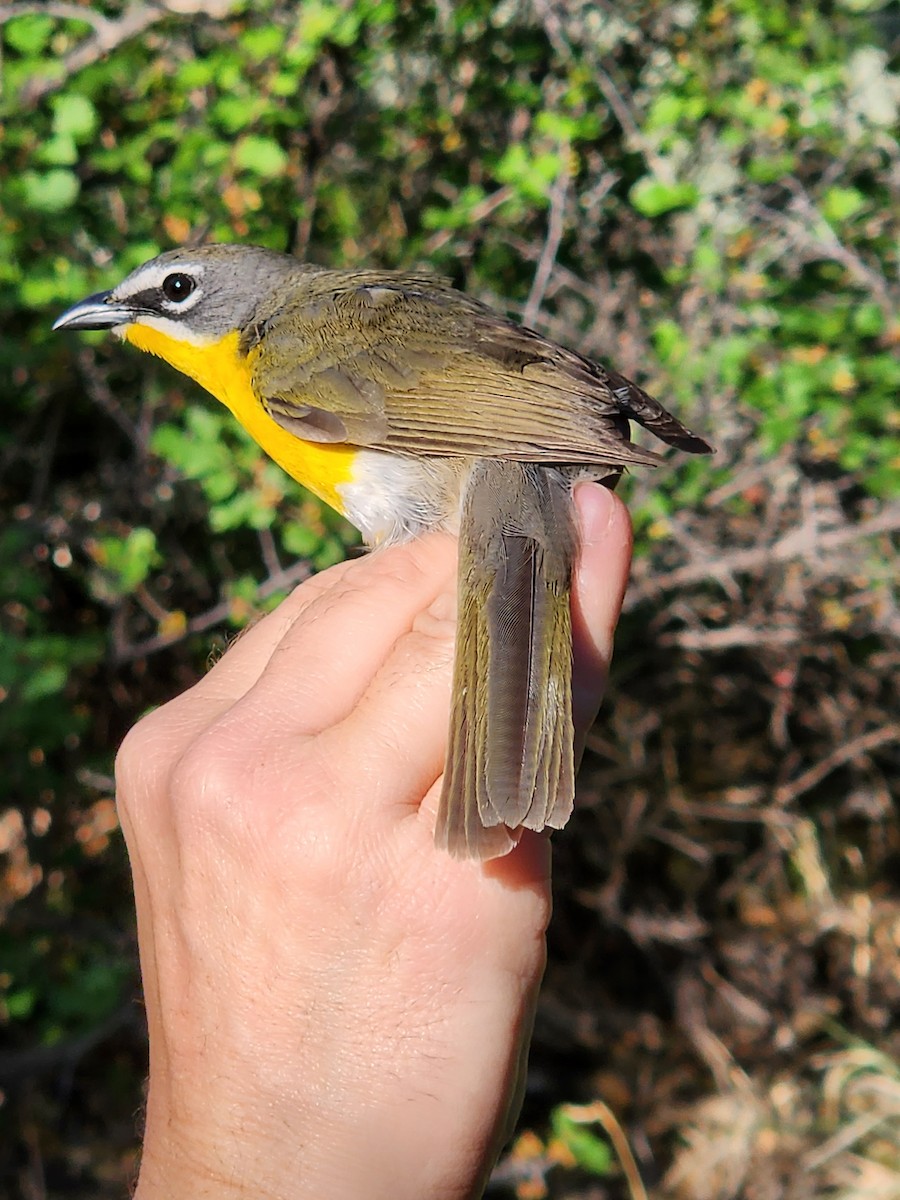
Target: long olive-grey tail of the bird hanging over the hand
(511, 757)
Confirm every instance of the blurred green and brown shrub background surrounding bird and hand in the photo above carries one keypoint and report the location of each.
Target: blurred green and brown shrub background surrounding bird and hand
(705, 194)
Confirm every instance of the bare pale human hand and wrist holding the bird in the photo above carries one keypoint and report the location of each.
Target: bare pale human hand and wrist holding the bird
(335, 1007)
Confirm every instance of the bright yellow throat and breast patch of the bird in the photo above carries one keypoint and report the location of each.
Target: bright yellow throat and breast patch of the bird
(221, 369)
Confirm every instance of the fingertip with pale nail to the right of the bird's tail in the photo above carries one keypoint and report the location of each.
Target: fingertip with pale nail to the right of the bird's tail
(598, 592)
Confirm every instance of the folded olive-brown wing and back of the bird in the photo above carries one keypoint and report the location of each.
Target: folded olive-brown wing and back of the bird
(407, 364)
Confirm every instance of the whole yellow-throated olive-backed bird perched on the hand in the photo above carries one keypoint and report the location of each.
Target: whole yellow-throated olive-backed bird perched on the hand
(410, 406)
